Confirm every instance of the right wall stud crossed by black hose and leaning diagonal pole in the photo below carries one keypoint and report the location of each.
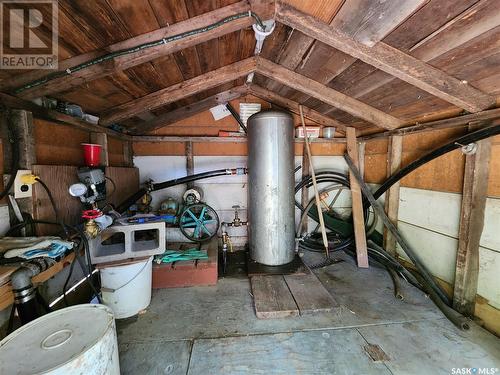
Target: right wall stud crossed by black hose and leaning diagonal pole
(394, 155)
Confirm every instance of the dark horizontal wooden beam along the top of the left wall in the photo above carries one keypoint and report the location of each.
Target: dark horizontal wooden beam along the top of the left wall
(58, 117)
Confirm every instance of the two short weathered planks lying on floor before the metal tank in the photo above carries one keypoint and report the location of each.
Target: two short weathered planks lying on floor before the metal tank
(290, 295)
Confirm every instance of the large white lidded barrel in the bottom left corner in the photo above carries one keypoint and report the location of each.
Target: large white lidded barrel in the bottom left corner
(79, 339)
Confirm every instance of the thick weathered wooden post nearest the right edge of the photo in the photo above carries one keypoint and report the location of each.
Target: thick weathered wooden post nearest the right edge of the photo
(475, 190)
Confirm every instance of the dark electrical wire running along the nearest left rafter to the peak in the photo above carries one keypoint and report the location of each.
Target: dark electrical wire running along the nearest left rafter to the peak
(138, 48)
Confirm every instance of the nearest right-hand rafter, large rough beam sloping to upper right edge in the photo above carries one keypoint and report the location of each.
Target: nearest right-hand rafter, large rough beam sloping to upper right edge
(390, 60)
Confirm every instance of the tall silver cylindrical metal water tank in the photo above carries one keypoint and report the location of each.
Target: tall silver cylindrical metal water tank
(271, 187)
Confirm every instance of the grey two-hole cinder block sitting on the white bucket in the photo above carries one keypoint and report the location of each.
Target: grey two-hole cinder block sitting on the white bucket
(127, 241)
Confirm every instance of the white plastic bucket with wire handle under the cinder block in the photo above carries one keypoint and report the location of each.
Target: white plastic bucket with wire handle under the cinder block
(126, 289)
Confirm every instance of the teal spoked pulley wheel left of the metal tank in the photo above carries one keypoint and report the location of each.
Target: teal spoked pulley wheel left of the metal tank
(199, 222)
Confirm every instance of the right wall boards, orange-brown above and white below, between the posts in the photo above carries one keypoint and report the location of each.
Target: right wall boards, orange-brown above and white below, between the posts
(429, 212)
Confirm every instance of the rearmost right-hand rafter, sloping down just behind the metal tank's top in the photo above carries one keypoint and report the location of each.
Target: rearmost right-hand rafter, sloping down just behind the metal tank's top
(293, 106)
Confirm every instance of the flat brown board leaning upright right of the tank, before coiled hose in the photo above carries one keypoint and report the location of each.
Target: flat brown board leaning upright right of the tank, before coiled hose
(357, 202)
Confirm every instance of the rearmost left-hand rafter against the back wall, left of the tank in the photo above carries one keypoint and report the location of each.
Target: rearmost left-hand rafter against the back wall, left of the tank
(188, 110)
